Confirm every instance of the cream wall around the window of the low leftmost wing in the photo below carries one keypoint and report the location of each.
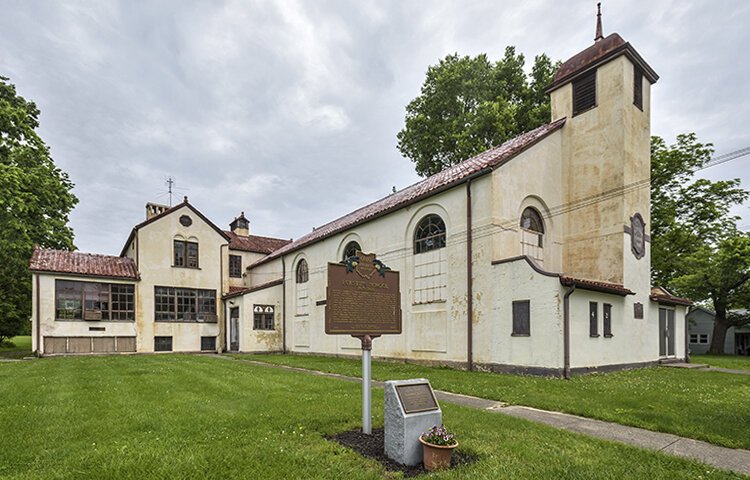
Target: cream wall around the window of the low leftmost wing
(72, 328)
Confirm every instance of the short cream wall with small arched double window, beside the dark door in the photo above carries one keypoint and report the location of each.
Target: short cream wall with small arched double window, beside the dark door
(258, 340)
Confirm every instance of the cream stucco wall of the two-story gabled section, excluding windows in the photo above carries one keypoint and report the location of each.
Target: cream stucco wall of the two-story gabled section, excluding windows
(155, 252)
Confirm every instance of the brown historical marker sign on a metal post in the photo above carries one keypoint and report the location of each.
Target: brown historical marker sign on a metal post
(362, 298)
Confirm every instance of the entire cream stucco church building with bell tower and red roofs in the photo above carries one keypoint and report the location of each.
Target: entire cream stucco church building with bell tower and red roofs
(533, 256)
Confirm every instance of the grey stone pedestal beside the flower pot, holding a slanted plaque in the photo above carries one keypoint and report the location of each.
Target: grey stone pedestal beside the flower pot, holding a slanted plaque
(402, 430)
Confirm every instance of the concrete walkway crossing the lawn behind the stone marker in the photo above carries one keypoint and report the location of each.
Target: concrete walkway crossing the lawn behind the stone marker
(735, 460)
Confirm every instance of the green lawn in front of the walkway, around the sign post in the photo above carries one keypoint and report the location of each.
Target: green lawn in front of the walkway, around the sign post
(182, 416)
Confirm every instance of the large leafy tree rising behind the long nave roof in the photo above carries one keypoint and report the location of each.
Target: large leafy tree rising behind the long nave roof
(469, 104)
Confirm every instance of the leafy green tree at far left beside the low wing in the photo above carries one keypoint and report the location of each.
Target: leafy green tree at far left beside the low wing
(35, 200)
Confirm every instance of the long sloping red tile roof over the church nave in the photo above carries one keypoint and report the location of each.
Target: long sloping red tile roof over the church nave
(482, 163)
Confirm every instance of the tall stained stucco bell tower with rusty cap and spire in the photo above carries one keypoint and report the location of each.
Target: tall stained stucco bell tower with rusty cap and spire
(605, 92)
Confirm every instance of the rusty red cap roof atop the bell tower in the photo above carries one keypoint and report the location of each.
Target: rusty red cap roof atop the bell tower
(601, 51)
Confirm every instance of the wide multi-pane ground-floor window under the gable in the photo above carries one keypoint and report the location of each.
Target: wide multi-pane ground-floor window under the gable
(184, 305)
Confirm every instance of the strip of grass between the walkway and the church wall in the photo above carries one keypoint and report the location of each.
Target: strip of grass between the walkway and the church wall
(709, 406)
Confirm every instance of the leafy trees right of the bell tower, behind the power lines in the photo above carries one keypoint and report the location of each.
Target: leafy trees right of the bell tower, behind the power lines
(697, 249)
